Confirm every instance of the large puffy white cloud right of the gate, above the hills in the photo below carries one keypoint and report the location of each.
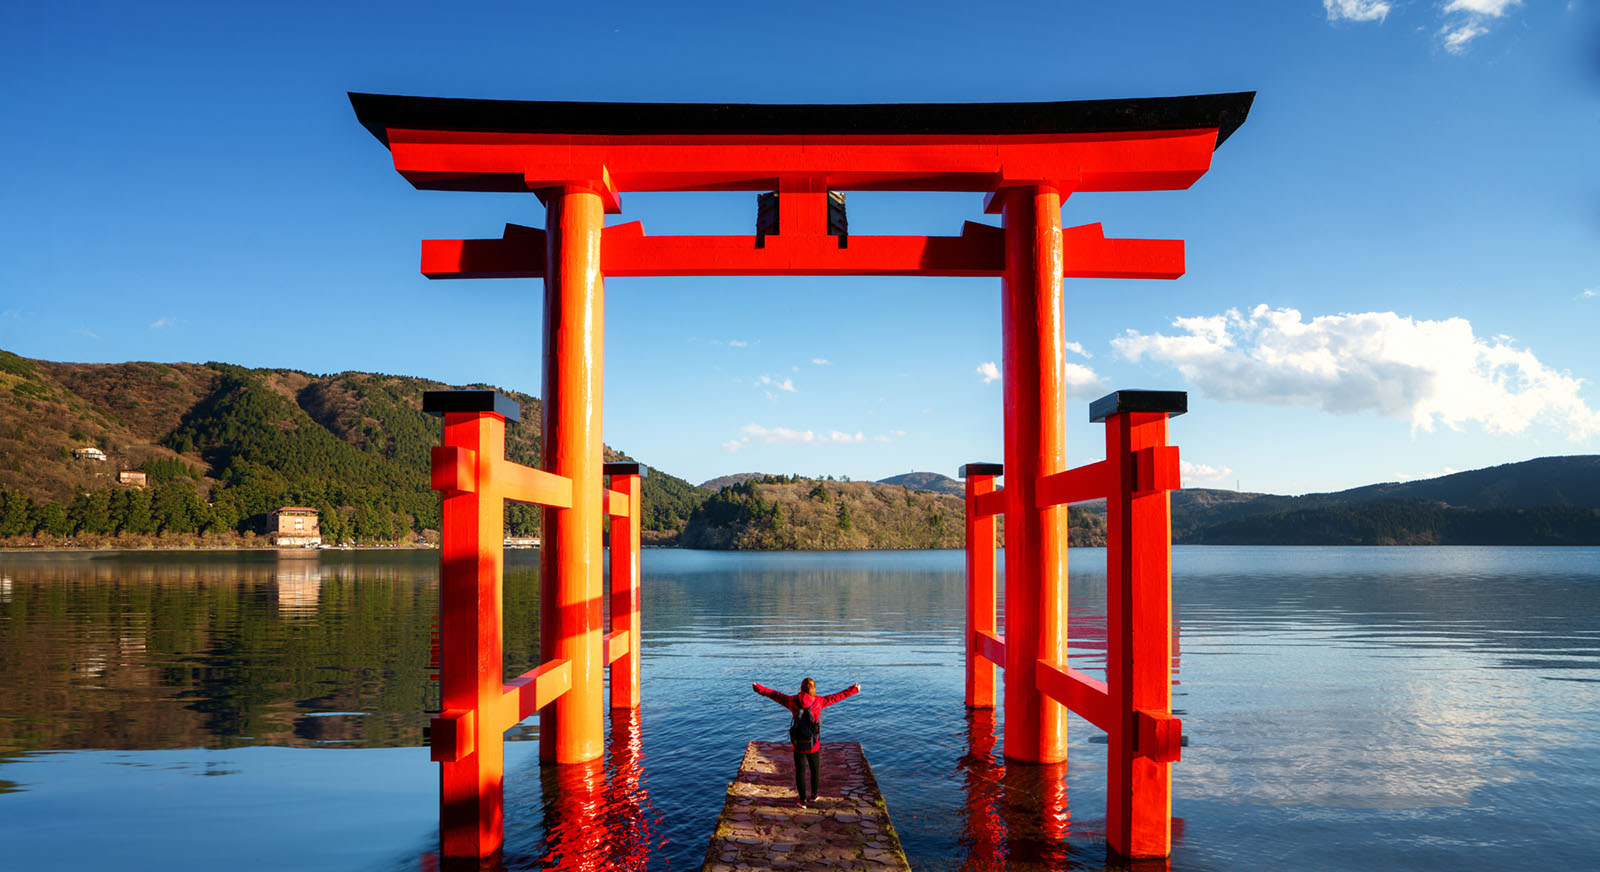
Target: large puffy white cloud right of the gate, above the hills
(1399, 367)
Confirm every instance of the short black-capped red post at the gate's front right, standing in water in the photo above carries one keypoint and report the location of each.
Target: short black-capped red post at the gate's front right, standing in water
(1143, 737)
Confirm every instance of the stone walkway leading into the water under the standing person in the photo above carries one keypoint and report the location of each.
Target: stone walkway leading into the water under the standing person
(761, 826)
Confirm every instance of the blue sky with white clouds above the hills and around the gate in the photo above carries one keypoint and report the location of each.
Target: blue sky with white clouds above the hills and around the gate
(1394, 266)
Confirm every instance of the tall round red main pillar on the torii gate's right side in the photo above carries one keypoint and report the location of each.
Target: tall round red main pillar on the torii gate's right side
(1036, 538)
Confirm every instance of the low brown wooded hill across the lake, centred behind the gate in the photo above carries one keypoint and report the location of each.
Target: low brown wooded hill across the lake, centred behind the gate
(783, 513)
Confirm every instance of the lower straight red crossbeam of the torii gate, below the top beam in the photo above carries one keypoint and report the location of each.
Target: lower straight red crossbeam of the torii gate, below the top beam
(628, 252)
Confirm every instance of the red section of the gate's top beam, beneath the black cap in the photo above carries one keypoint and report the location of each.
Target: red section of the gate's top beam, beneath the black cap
(518, 162)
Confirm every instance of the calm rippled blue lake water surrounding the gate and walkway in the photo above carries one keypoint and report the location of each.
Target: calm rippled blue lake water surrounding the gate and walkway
(1346, 710)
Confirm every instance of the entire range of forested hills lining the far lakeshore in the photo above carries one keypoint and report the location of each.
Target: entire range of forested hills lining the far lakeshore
(223, 446)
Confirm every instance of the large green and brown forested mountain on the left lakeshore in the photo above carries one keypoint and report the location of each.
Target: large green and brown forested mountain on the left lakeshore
(223, 446)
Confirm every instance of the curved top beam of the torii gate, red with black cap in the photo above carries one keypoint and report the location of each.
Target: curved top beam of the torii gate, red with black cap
(518, 146)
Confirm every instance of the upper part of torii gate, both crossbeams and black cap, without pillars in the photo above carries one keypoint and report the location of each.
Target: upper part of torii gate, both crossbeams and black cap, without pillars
(802, 153)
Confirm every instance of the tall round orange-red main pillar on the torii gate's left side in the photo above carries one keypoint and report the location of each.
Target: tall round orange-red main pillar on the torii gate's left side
(572, 730)
